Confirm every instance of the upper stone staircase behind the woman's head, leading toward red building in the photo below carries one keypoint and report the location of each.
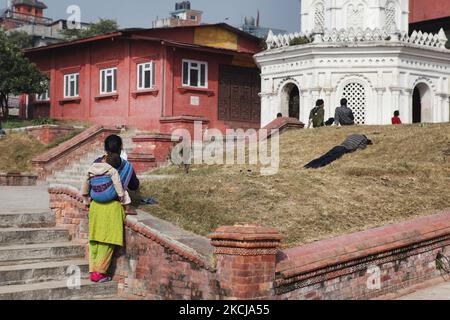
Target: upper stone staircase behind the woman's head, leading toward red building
(73, 174)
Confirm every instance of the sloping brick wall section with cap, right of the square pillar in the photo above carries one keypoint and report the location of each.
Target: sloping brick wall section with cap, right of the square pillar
(338, 268)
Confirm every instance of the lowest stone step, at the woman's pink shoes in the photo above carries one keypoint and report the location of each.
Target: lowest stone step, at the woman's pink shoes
(58, 290)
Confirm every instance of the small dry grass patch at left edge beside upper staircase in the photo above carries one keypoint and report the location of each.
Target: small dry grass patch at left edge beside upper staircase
(17, 150)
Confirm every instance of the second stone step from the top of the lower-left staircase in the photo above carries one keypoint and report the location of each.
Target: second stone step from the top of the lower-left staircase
(11, 236)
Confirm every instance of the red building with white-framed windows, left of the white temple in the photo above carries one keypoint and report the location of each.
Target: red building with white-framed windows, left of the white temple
(154, 79)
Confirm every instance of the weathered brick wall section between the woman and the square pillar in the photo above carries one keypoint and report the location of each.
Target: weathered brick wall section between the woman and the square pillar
(151, 268)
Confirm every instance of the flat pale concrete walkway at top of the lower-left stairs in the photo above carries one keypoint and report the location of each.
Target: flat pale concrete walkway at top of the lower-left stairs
(33, 199)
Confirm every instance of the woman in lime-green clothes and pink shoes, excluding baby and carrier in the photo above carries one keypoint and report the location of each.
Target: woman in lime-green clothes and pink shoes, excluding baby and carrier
(106, 222)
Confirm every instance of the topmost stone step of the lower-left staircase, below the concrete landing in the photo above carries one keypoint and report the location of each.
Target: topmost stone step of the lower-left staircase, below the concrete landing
(26, 220)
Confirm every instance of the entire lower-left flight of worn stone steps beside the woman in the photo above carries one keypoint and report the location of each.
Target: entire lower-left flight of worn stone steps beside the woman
(36, 259)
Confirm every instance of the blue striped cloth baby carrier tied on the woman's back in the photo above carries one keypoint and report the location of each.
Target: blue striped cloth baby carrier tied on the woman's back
(102, 187)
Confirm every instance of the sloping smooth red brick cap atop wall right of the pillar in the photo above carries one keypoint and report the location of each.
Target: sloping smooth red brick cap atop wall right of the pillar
(350, 247)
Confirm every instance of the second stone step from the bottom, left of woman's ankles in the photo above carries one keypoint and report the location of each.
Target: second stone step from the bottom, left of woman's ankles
(41, 271)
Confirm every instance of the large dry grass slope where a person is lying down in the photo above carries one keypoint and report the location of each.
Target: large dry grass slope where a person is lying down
(405, 174)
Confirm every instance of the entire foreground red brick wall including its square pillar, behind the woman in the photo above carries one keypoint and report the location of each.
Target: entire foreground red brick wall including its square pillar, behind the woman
(249, 265)
